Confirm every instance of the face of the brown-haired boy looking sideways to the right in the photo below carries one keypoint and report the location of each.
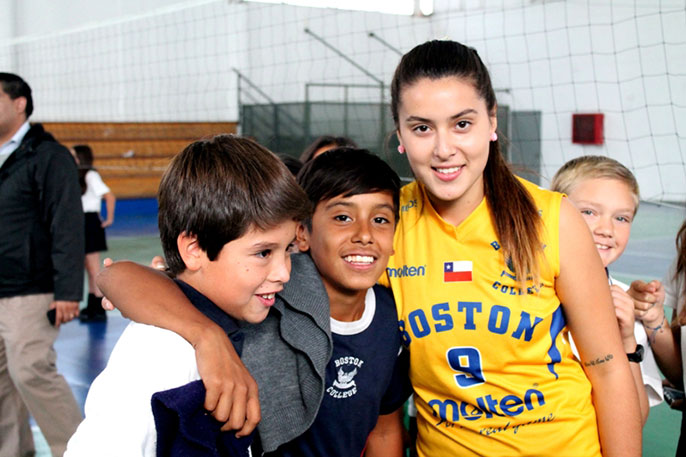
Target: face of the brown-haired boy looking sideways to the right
(246, 274)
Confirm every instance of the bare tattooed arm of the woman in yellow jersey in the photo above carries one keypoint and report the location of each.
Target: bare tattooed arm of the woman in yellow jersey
(582, 288)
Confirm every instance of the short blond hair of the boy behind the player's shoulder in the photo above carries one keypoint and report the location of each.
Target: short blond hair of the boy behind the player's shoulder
(594, 167)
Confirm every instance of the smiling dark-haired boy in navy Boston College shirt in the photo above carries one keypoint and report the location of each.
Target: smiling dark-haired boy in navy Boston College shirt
(350, 238)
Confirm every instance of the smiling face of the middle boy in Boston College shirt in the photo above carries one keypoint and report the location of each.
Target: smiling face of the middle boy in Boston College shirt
(350, 241)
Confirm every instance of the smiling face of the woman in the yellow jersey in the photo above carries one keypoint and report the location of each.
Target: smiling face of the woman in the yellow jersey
(445, 127)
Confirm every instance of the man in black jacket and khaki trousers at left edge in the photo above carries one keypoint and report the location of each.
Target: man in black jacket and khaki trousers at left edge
(41, 268)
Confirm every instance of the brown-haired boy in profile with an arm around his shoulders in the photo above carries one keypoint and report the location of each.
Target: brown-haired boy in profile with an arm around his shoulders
(229, 257)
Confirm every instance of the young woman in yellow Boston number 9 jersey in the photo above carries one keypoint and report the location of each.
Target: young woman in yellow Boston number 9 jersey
(489, 275)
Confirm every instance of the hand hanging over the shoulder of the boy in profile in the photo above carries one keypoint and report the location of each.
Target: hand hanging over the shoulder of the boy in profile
(232, 394)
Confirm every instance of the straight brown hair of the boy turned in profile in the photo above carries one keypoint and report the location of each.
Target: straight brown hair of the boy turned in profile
(219, 188)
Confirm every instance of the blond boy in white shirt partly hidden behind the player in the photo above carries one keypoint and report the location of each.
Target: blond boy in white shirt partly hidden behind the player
(607, 196)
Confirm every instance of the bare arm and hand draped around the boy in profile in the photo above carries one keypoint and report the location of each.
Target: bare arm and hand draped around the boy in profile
(231, 391)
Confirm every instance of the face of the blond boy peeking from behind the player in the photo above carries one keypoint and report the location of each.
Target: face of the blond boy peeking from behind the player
(608, 206)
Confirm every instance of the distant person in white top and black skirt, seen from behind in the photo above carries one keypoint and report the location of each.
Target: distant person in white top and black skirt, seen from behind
(93, 190)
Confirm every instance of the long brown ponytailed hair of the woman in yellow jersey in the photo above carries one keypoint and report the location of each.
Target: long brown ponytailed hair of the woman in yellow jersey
(513, 212)
